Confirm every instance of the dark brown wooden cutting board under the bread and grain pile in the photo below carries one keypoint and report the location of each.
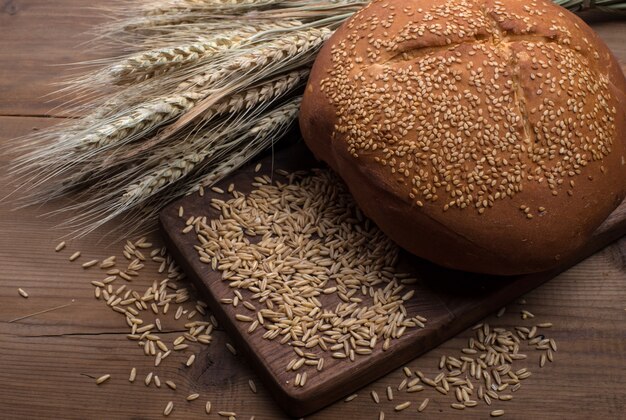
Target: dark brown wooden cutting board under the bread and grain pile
(450, 300)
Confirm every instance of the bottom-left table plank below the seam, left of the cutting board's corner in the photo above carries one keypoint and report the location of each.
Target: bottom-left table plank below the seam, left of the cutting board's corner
(54, 377)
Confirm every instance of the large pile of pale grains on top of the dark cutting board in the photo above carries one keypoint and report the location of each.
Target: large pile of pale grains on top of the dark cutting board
(288, 246)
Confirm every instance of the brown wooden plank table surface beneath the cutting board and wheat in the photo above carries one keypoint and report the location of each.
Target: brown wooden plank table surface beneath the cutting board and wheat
(48, 362)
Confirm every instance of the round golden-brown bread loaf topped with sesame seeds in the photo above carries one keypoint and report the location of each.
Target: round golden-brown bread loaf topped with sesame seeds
(485, 136)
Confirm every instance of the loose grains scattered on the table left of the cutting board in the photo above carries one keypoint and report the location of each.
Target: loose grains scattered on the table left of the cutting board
(148, 312)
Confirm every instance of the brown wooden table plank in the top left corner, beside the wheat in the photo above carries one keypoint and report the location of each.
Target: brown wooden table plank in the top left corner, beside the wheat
(39, 38)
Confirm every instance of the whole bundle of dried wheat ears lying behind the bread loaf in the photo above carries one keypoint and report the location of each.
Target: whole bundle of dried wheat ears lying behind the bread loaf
(202, 87)
